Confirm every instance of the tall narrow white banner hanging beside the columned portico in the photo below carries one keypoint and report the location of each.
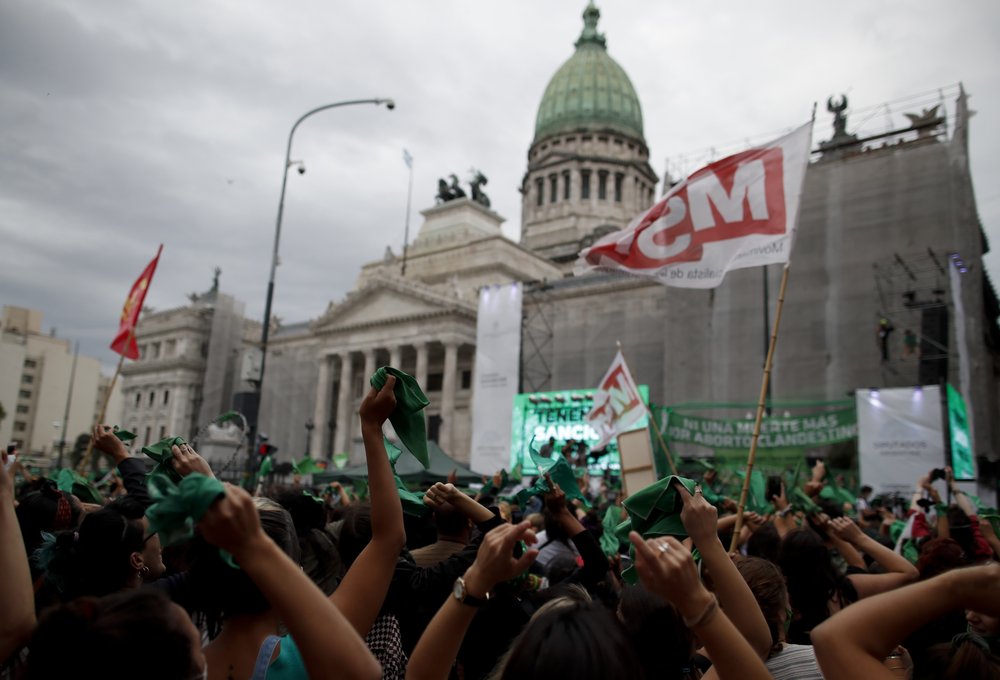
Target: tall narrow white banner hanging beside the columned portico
(494, 384)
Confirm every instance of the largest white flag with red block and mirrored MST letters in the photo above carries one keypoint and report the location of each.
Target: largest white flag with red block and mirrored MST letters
(734, 213)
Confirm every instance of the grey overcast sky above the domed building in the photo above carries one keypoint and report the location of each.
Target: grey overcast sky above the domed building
(128, 124)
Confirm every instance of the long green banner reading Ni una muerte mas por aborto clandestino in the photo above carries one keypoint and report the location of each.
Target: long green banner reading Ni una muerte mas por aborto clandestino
(812, 430)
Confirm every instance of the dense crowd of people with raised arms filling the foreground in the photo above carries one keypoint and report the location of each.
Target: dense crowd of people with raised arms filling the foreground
(181, 576)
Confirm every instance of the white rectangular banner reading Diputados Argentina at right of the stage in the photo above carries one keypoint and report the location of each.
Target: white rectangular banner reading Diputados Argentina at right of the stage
(900, 436)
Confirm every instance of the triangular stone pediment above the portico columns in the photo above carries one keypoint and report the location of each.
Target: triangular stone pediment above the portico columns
(385, 300)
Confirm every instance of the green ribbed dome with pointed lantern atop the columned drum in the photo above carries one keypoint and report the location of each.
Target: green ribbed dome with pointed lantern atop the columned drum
(590, 91)
